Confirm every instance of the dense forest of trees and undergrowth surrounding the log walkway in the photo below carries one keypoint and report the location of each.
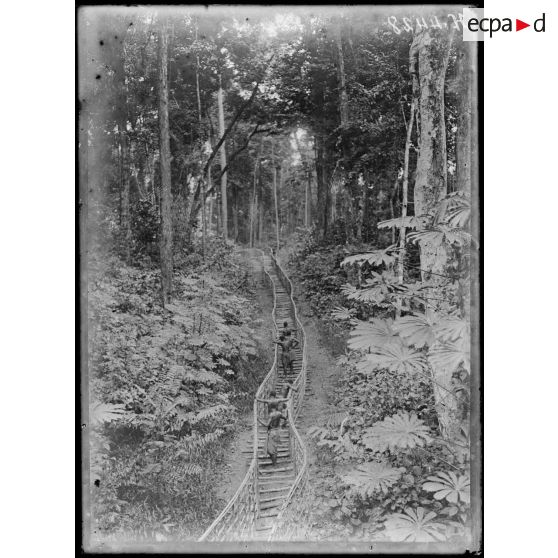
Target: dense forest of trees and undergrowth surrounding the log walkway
(342, 141)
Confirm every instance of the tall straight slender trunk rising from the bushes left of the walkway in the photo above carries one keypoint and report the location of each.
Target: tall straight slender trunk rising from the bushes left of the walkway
(165, 158)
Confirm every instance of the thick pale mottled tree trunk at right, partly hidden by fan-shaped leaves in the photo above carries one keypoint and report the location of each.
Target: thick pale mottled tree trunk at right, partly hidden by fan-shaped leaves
(429, 59)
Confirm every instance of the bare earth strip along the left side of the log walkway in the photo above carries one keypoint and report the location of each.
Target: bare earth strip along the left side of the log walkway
(233, 469)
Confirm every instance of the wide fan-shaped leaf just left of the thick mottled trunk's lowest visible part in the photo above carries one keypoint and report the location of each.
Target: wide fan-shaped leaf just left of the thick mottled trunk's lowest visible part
(397, 432)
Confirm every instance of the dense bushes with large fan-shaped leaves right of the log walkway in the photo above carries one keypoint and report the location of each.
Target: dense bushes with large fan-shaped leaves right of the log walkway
(384, 472)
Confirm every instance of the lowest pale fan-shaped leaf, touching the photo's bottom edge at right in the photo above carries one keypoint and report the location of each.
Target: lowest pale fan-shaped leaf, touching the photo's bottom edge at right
(414, 526)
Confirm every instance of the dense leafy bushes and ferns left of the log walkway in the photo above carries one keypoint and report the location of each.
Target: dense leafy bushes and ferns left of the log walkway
(166, 385)
